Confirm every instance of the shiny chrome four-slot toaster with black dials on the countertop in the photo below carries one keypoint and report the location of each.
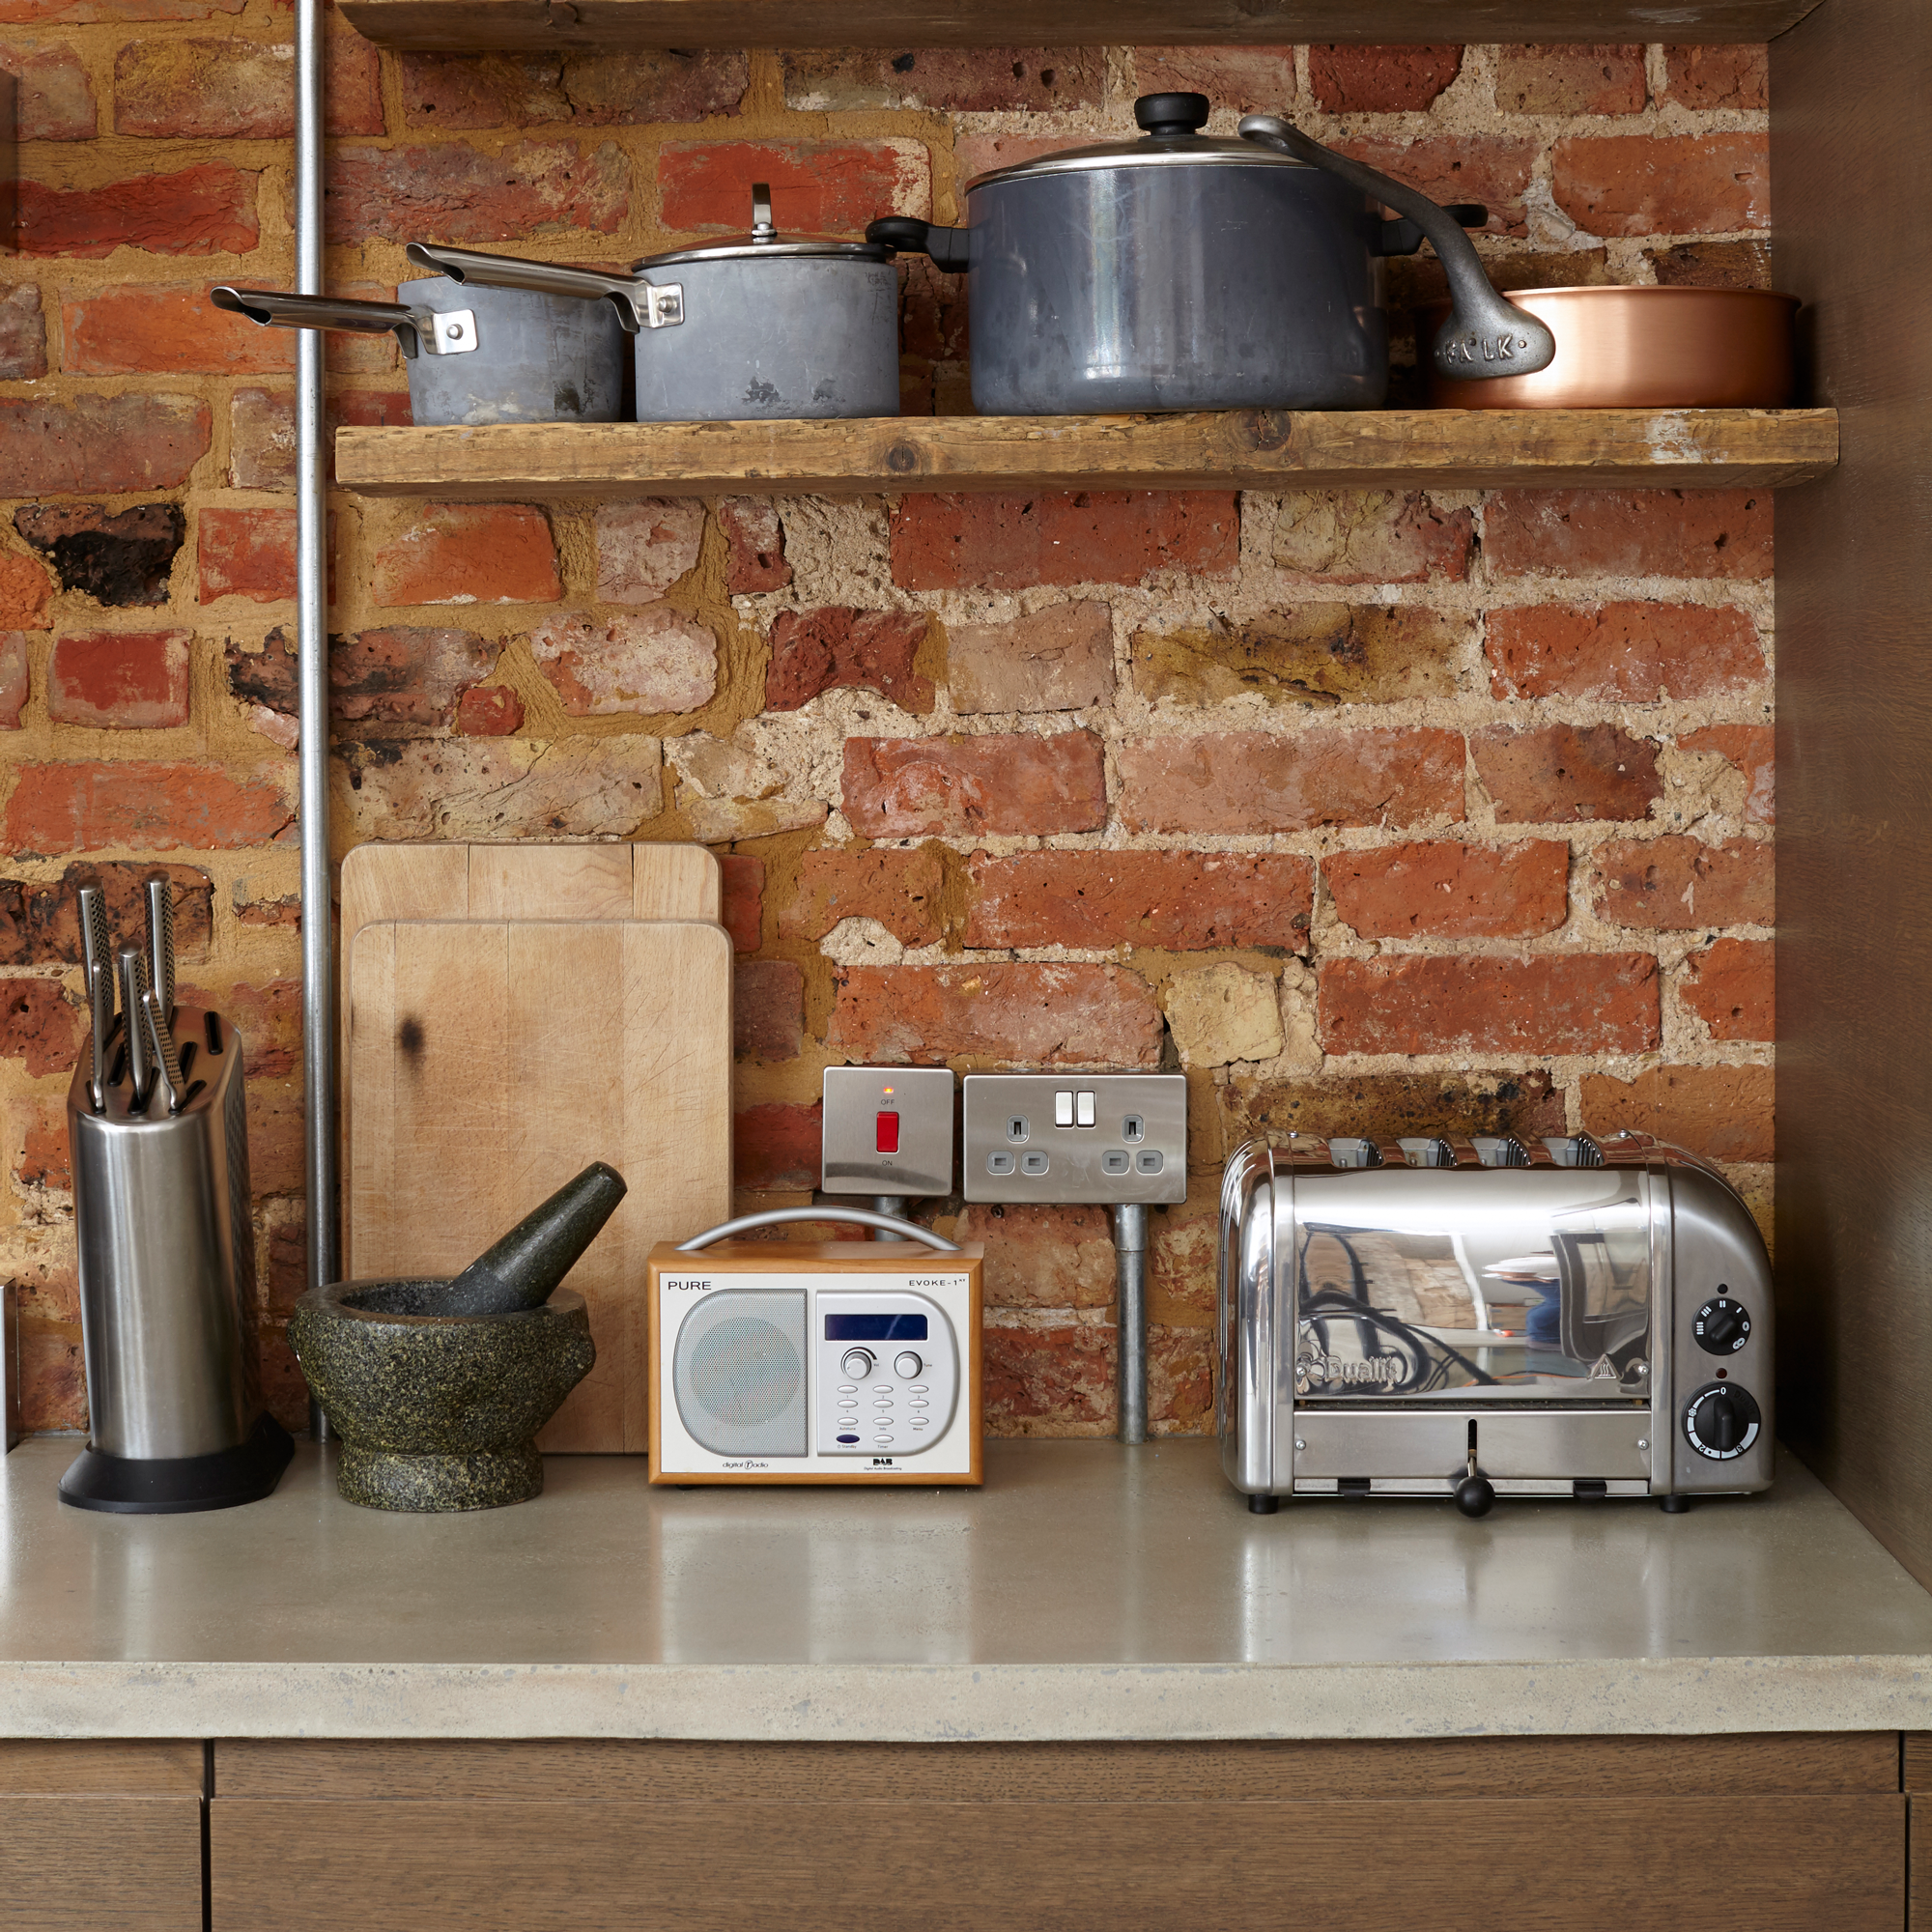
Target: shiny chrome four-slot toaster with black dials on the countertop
(1491, 1317)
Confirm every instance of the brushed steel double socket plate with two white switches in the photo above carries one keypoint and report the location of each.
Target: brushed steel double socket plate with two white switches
(1025, 1139)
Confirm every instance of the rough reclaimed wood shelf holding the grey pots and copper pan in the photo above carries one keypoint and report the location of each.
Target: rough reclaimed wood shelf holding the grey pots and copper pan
(1236, 449)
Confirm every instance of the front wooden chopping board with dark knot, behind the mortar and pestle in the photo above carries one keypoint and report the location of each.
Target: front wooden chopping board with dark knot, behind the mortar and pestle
(492, 1060)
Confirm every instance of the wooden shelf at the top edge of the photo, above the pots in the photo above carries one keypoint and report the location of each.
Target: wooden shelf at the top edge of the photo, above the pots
(459, 26)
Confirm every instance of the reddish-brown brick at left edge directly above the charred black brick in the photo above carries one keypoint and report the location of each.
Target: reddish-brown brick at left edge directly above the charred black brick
(99, 443)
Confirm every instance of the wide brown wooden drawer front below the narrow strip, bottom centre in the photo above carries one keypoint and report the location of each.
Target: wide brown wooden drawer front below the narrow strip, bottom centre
(1746, 1863)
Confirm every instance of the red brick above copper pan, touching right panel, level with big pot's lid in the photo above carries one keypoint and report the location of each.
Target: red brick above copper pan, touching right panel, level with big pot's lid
(1641, 185)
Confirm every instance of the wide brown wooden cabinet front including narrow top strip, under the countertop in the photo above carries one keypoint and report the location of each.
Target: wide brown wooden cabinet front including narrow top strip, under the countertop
(1749, 1833)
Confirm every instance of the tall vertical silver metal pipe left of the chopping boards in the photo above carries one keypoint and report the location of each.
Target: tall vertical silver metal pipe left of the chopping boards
(312, 673)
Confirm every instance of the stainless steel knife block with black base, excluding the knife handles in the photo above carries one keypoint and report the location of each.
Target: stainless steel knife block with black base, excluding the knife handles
(167, 1264)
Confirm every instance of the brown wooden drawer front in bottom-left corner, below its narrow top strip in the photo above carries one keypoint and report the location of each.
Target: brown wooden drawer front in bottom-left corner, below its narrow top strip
(99, 1865)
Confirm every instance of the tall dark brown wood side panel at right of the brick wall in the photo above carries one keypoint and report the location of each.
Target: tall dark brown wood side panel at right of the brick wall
(1852, 144)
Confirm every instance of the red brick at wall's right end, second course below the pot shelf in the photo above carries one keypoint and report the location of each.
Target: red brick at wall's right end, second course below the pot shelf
(1635, 652)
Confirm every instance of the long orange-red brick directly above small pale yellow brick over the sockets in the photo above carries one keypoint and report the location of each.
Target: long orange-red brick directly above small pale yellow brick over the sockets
(1178, 901)
